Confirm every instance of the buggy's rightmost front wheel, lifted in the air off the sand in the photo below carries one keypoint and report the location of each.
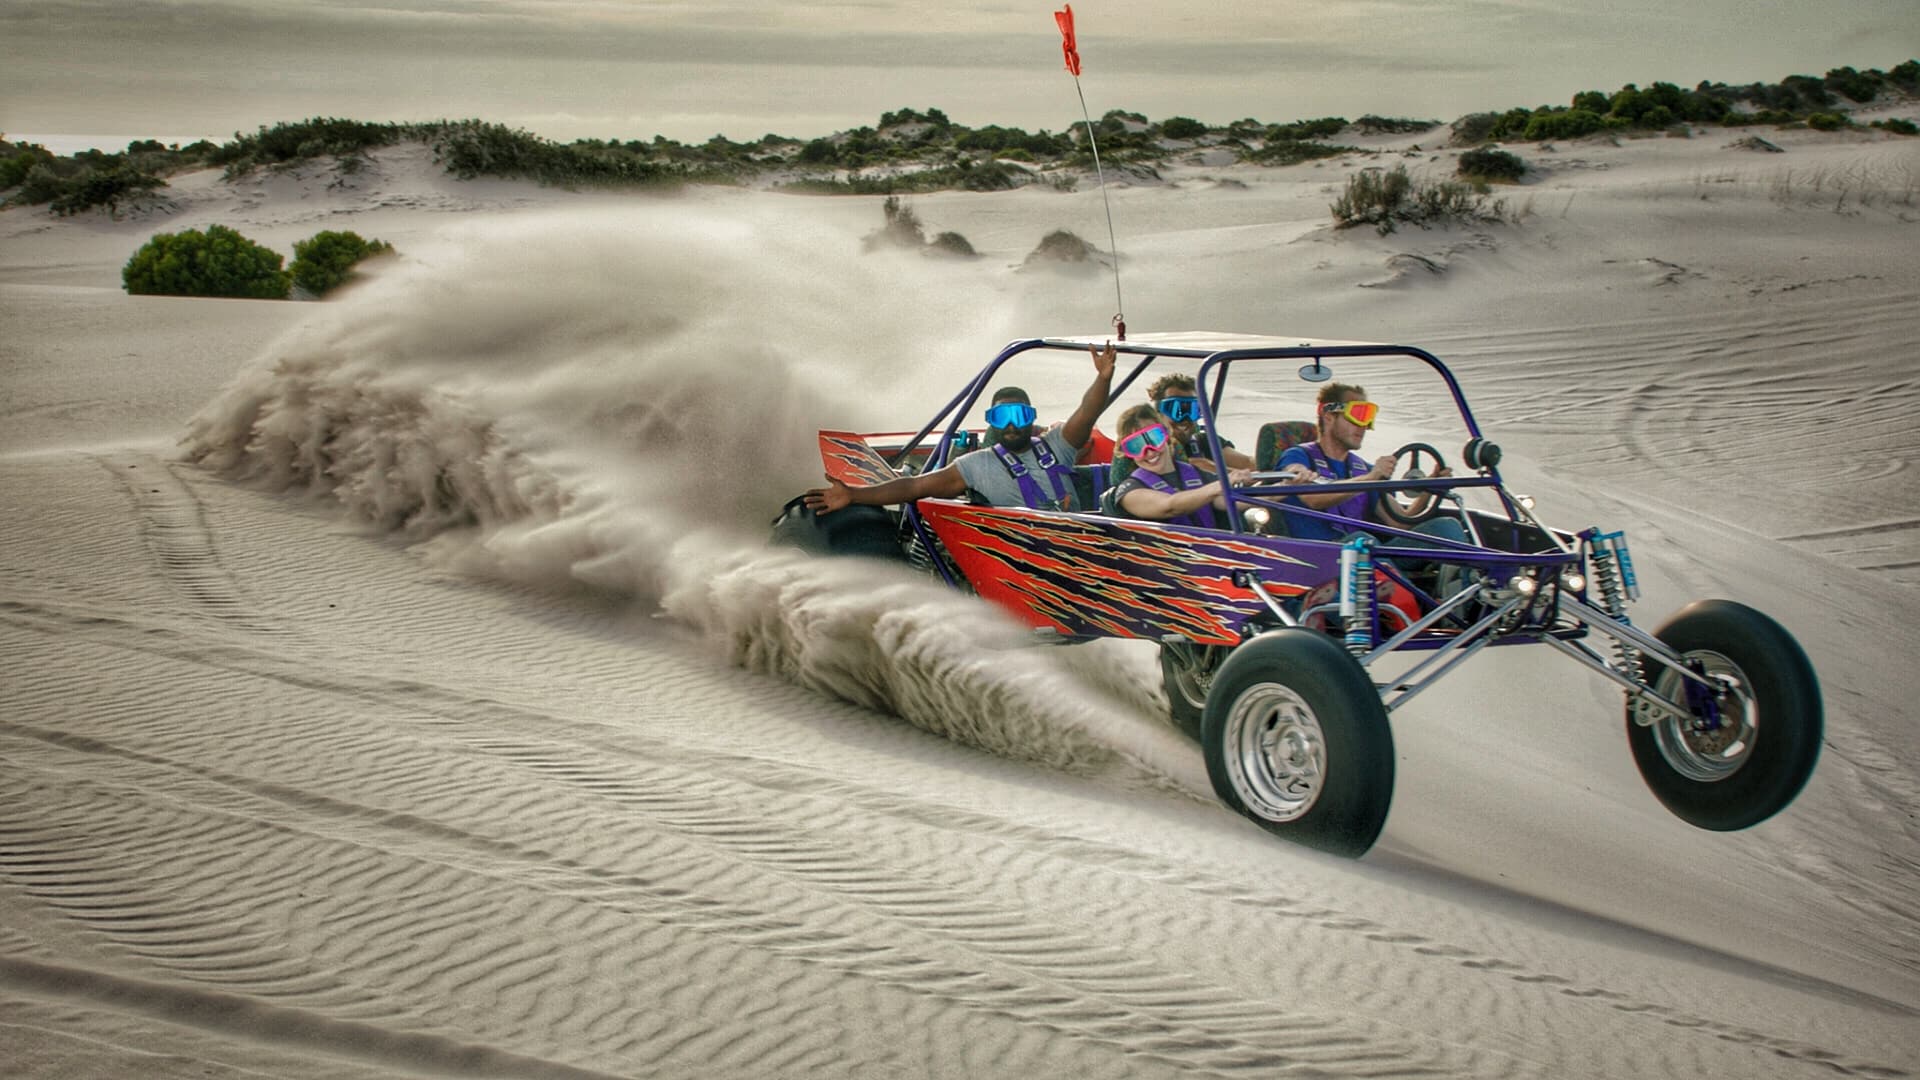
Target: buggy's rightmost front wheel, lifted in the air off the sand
(1760, 756)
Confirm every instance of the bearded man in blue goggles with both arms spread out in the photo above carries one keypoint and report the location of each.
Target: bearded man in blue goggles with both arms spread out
(1020, 466)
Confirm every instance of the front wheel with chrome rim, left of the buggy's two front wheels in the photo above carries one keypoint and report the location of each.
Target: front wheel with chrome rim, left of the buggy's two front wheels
(1297, 739)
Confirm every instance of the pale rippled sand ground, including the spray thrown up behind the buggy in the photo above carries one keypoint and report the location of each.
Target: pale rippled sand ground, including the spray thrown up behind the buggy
(398, 685)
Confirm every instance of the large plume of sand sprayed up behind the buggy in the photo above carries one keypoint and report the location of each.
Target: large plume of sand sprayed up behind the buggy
(564, 403)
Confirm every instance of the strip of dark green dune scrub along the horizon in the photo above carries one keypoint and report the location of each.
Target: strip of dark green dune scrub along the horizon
(921, 151)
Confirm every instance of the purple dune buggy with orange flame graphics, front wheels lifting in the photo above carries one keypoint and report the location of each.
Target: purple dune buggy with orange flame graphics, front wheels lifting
(1287, 658)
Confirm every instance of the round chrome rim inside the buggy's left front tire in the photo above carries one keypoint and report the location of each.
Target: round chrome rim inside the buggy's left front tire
(1276, 752)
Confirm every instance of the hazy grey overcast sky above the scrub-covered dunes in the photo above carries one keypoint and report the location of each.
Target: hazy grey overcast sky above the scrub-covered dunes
(748, 68)
